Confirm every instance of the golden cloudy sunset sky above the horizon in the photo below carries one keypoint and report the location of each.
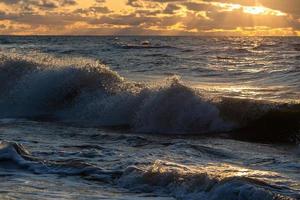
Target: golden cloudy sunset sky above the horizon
(150, 17)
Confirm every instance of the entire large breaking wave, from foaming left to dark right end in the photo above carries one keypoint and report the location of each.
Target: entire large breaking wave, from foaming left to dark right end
(88, 93)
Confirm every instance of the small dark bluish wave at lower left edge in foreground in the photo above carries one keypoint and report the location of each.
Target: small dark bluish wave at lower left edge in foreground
(14, 156)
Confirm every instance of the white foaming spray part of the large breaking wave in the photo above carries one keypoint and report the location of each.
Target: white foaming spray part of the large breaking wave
(82, 90)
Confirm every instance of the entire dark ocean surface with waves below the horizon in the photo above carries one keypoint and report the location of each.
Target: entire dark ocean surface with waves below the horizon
(164, 118)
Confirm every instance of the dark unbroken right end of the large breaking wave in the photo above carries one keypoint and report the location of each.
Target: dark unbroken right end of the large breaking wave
(262, 121)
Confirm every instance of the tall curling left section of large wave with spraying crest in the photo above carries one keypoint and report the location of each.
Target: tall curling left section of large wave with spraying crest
(44, 85)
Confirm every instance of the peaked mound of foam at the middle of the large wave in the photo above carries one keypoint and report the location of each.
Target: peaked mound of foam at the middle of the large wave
(178, 109)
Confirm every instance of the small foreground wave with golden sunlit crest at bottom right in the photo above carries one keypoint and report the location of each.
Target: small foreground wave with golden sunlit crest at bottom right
(207, 183)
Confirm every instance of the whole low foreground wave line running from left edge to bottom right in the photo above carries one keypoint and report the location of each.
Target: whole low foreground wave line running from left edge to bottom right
(161, 177)
